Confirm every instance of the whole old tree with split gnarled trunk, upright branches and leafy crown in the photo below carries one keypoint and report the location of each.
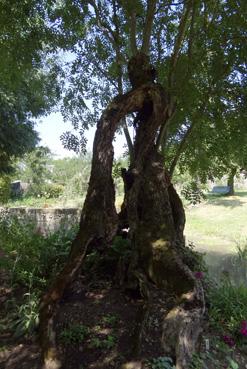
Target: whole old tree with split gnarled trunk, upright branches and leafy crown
(152, 56)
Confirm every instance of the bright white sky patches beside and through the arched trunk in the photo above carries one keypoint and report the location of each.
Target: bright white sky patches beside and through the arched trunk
(51, 127)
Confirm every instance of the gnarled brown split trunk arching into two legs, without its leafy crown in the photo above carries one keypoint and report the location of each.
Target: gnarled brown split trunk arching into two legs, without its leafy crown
(153, 211)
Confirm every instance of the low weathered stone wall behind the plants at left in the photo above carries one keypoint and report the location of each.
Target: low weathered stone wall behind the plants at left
(46, 220)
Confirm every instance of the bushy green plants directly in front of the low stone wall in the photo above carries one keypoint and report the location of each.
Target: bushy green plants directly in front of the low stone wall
(33, 259)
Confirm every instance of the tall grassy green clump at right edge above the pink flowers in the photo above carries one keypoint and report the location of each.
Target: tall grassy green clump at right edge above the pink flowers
(228, 307)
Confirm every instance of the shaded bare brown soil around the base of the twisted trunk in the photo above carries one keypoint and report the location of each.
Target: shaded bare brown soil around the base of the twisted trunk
(98, 327)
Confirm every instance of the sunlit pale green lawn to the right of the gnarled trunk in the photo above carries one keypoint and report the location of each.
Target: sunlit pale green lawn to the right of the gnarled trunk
(216, 227)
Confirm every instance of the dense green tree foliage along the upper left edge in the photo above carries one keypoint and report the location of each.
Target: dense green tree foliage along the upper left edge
(28, 77)
